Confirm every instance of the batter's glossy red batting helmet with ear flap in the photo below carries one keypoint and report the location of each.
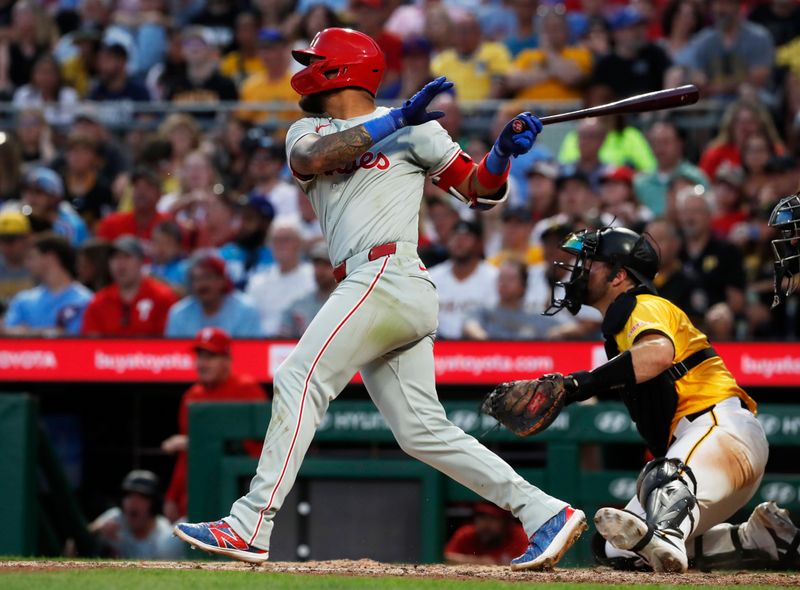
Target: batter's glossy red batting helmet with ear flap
(349, 58)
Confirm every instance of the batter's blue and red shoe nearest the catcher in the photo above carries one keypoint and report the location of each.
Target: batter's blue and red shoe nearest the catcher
(549, 544)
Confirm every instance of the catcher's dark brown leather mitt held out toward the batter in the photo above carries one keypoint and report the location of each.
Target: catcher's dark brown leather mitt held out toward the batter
(527, 407)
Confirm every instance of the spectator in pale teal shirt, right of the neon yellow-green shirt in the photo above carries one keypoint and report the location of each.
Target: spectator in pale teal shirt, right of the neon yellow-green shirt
(667, 142)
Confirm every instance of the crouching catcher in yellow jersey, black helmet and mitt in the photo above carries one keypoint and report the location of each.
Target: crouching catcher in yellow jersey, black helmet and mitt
(710, 449)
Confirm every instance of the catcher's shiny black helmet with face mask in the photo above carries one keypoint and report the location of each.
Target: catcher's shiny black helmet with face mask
(616, 246)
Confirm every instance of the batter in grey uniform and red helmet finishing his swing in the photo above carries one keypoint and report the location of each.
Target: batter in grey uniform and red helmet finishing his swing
(363, 169)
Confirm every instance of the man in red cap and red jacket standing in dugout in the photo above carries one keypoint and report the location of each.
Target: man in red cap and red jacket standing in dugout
(216, 383)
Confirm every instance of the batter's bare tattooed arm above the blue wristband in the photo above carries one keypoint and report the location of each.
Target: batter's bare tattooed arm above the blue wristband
(331, 151)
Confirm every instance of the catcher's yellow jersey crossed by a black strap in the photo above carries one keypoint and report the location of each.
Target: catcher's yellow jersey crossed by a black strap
(702, 387)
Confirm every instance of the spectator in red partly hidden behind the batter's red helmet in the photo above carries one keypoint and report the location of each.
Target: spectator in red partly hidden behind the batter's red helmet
(370, 18)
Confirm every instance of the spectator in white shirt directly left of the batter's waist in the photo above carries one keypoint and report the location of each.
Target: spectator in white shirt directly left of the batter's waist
(273, 290)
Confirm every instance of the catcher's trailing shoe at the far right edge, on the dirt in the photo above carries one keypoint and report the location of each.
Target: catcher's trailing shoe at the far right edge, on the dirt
(771, 529)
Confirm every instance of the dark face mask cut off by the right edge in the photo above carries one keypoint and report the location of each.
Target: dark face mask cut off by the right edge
(785, 219)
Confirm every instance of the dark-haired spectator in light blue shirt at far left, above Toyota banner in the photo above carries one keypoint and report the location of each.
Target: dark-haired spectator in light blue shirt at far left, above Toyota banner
(57, 305)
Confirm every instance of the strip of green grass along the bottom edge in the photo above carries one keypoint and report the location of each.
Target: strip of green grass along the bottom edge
(132, 579)
